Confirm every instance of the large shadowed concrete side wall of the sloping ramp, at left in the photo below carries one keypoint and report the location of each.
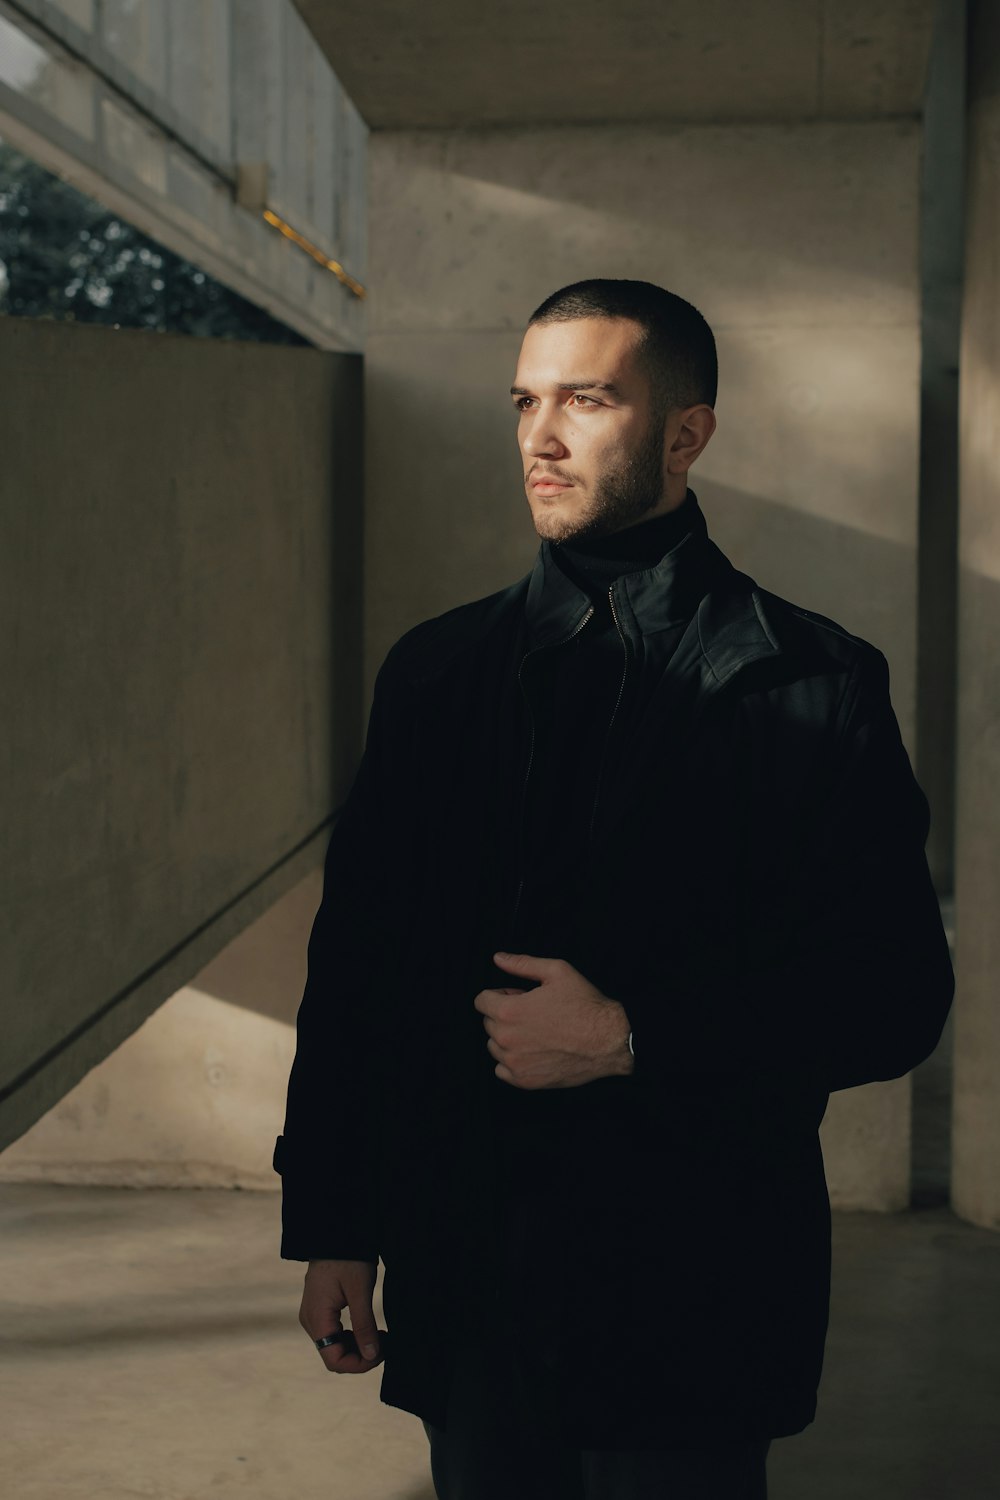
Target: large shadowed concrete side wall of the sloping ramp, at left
(179, 668)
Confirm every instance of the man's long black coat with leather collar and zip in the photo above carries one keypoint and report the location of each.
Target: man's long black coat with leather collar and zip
(753, 892)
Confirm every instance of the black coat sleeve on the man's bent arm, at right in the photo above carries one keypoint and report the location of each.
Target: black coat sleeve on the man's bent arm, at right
(860, 983)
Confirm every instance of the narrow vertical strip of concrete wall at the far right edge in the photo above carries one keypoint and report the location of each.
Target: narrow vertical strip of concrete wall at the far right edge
(977, 1108)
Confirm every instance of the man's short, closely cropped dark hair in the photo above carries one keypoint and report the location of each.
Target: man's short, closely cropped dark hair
(677, 347)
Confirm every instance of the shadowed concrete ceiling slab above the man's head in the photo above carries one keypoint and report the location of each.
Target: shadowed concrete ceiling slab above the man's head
(452, 64)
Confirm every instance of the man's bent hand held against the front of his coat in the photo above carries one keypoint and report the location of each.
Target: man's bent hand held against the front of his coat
(558, 1036)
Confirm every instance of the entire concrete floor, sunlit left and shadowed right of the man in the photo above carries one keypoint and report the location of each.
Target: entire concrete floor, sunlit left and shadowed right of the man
(151, 1348)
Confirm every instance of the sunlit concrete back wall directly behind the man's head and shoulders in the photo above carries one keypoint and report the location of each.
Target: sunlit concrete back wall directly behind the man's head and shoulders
(800, 245)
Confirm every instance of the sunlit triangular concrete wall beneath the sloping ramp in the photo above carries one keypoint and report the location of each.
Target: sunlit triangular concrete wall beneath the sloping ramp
(197, 1096)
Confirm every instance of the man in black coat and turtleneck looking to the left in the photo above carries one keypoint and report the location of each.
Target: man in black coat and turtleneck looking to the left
(630, 878)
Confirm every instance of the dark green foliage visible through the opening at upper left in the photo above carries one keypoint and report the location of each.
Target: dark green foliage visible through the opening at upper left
(65, 256)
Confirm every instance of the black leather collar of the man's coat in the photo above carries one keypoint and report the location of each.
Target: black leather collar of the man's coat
(693, 583)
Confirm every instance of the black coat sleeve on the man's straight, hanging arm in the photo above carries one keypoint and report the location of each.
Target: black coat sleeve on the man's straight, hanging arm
(328, 1153)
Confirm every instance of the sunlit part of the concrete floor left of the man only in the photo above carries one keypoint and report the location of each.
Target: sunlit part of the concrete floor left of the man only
(151, 1348)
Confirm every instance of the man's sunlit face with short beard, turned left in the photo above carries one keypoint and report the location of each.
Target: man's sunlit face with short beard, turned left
(600, 449)
